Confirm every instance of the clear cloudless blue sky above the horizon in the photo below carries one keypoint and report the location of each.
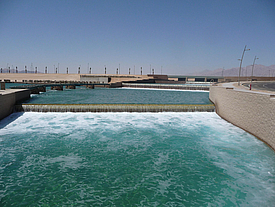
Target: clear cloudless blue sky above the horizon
(180, 37)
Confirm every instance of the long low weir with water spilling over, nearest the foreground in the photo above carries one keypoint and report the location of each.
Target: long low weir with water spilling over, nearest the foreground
(114, 108)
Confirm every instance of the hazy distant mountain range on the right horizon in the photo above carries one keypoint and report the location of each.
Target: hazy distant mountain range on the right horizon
(259, 70)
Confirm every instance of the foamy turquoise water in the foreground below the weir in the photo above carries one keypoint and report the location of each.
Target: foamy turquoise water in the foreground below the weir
(132, 159)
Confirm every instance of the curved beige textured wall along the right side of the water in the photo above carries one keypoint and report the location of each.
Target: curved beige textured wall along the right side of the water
(251, 111)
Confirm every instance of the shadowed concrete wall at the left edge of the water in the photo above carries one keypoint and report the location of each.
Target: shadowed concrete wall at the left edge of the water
(8, 98)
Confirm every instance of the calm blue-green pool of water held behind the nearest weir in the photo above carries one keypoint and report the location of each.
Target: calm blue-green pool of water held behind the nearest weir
(120, 96)
